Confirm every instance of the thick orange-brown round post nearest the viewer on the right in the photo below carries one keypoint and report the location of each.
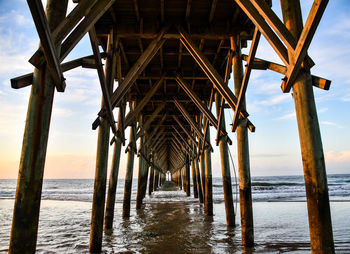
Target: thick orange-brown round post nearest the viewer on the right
(320, 223)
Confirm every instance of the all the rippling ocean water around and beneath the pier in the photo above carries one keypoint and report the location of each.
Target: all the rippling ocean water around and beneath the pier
(170, 222)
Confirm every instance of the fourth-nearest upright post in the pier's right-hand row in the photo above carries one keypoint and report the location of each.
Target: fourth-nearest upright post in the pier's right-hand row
(208, 201)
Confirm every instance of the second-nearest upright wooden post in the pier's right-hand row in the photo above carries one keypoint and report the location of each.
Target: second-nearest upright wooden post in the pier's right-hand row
(245, 192)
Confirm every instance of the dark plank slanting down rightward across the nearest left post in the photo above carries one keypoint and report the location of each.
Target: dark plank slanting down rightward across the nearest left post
(48, 46)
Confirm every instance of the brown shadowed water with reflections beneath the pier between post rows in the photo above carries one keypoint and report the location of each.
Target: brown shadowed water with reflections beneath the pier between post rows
(171, 227)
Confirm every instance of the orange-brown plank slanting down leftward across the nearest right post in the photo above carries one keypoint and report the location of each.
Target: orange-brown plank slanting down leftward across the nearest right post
(304, 41)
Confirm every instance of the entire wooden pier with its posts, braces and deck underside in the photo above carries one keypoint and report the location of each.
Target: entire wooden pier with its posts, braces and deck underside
(166, 63)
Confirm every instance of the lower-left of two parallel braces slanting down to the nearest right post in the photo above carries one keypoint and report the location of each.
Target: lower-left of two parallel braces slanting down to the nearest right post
(264, 28)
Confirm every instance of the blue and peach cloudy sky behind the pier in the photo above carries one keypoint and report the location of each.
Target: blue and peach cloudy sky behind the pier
(274, 147)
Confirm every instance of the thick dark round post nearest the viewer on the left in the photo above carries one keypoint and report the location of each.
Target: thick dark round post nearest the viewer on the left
(31, 169)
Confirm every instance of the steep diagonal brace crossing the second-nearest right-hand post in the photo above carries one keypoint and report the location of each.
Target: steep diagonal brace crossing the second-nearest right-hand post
(245, 80)
